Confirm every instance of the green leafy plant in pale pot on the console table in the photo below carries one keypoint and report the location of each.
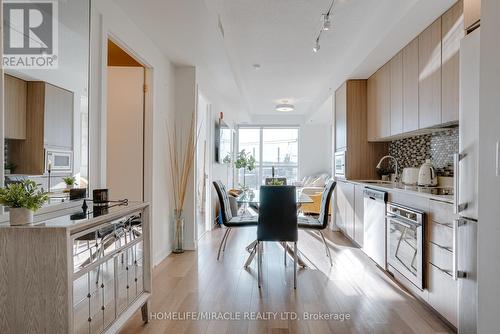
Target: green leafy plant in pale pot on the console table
(23, 199)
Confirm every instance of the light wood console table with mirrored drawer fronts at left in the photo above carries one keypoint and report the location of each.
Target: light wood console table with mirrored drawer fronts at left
(77, 271)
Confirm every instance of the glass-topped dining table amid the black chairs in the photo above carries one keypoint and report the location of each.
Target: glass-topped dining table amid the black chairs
(253, 198)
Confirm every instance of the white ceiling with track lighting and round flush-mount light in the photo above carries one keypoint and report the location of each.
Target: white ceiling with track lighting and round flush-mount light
(279, 35)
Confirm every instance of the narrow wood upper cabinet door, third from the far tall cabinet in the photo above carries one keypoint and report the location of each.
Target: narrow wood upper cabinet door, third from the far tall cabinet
(396, 66)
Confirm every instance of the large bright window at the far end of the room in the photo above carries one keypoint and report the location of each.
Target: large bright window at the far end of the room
(271, 147)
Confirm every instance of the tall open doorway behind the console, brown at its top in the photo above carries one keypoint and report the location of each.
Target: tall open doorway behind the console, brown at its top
(125, 125)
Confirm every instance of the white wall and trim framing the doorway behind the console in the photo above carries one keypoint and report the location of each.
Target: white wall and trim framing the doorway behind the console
(108, 19)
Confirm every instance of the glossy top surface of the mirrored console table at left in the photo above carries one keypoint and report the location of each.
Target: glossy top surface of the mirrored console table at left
(75, 220)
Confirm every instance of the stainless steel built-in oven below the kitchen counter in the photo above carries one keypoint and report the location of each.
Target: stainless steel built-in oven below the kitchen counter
(405, 242)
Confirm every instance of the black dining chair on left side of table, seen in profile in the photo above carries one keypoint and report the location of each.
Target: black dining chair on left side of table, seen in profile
(227, 218)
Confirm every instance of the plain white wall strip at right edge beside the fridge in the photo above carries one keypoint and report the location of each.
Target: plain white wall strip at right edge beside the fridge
(489, 182)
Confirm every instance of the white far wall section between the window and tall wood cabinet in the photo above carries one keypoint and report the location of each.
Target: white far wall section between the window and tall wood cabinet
(315, 149)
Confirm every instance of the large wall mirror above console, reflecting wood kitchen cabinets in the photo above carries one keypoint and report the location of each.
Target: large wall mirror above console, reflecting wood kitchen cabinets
(46, 107)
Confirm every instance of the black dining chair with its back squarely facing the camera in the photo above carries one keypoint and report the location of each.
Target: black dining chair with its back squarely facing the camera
(277, 222)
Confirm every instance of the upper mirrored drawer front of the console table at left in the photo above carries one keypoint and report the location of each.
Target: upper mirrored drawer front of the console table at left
(91, 245)
